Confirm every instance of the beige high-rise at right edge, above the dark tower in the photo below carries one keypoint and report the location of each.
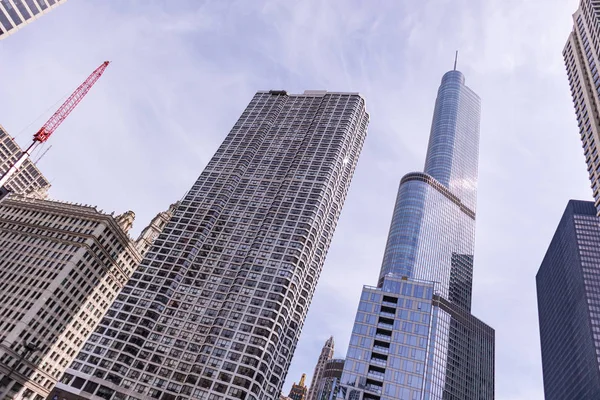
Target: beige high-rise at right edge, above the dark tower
(582, 58)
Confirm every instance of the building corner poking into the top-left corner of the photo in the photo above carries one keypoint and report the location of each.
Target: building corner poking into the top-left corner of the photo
(14, 14)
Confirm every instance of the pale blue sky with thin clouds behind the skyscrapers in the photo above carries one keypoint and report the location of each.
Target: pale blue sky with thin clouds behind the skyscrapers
(183, 71)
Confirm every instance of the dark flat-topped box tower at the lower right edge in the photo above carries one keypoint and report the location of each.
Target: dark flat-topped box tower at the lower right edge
(568, 291)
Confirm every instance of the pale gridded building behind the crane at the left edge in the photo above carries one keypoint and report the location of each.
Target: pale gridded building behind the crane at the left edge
(28, 180)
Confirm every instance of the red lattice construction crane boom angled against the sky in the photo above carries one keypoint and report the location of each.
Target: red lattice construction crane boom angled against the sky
(54, 122)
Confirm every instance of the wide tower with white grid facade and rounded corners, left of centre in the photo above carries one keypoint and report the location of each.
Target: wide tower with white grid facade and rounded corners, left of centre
(216, 307)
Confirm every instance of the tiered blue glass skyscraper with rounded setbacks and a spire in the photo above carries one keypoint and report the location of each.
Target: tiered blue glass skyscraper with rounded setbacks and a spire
(414, 336)
